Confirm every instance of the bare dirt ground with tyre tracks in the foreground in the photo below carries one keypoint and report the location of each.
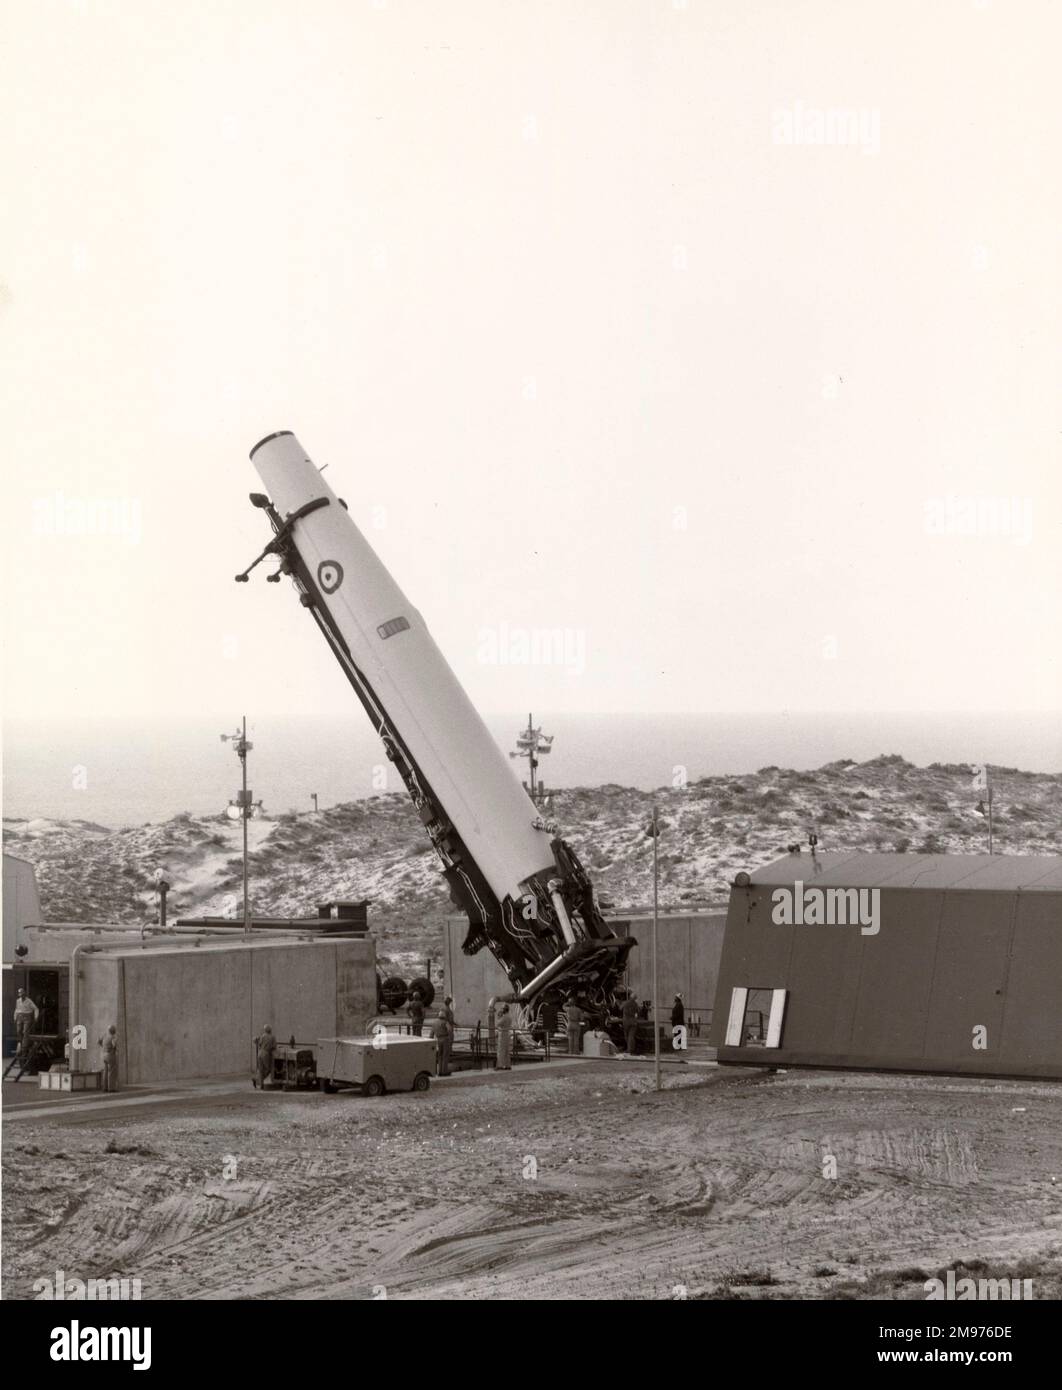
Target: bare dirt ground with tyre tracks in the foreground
(575, 1184)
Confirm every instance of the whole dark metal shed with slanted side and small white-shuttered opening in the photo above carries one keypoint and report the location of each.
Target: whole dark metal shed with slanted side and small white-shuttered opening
(896, 963)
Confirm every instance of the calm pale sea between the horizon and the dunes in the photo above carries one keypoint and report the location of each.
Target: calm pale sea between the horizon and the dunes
(119, 772)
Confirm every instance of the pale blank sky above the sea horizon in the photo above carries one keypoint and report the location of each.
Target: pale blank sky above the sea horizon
(590, 332)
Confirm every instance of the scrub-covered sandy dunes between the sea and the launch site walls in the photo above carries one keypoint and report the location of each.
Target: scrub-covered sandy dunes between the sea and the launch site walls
(377, 849)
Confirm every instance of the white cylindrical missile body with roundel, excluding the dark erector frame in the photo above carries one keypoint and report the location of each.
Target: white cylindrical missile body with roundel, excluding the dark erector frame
(423, 698)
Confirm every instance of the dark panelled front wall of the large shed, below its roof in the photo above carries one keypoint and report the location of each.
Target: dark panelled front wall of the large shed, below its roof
(946, 961)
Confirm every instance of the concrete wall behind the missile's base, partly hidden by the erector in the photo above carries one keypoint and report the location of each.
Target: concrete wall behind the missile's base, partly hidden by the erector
(689, 951)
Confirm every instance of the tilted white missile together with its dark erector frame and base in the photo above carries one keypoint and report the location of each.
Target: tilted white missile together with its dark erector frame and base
(523, 889)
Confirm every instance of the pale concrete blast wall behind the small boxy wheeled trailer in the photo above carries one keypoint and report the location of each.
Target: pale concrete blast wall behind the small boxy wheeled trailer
(195, 1011)
